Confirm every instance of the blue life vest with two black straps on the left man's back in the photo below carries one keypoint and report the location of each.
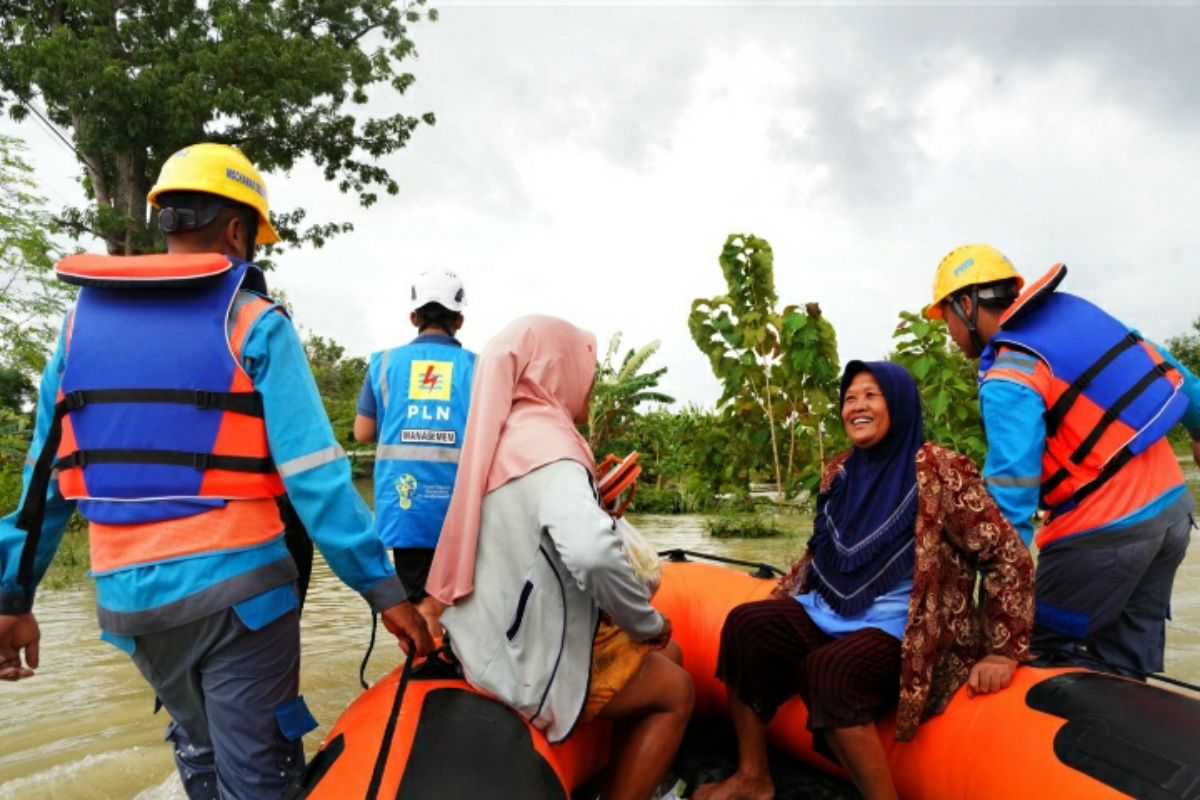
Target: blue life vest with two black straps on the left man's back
(151, 386)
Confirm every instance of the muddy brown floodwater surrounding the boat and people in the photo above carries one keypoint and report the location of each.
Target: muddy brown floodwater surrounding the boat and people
(83, 726)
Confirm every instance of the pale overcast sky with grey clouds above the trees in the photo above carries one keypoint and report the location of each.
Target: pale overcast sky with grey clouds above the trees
(590, 161)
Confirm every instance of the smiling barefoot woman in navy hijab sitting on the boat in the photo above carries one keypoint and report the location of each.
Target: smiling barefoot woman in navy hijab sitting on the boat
(903, 531)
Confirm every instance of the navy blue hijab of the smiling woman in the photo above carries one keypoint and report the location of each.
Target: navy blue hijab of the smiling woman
(863, 536)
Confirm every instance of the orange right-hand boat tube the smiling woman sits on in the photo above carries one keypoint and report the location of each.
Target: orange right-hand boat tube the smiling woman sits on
(1053, 733)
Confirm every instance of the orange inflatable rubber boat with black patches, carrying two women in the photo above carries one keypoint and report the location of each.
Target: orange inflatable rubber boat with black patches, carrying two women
(1053, 733)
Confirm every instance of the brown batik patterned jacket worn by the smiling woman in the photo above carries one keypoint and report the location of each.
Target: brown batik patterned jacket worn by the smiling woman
(961, 534)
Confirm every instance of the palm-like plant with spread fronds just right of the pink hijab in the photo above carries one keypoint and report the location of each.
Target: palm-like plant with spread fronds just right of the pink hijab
(619, 392)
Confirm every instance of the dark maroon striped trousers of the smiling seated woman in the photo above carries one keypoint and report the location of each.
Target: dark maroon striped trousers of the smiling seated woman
(771, 652)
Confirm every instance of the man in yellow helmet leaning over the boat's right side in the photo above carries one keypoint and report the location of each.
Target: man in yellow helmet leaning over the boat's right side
(1077, 407)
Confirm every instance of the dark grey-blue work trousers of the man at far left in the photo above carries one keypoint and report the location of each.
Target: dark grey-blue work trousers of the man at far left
(232, 695)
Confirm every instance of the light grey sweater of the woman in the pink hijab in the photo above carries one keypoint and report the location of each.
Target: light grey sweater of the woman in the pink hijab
(549, 560)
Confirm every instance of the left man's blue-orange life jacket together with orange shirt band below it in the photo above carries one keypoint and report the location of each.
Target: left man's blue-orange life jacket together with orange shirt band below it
(155, 419)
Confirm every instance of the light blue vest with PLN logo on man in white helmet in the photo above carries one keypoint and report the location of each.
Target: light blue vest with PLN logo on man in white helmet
(423, 394)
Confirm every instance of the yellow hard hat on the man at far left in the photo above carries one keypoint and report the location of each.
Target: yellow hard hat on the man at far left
(223, 171)
